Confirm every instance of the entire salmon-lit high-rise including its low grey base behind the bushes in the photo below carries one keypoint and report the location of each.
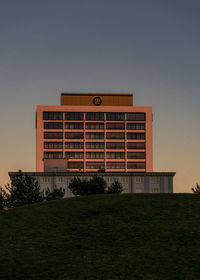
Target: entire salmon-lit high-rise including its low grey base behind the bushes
(97, 134)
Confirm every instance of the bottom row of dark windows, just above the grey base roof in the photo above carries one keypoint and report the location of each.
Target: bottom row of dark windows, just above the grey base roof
(109, 165)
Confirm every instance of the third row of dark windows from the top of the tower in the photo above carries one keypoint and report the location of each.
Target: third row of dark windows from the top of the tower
(94, 135)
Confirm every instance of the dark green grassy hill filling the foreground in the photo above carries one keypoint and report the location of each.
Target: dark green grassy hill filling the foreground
(103, 237)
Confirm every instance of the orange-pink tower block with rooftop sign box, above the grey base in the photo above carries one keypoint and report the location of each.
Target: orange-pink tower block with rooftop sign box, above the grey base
(95, 132)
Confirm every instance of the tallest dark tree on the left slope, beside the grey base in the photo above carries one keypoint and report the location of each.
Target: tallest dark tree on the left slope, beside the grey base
(24, 189)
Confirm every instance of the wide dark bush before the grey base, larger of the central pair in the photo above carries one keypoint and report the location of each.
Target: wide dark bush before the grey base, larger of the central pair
(96, 185)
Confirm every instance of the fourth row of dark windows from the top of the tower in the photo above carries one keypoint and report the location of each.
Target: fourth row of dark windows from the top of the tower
(94, 145)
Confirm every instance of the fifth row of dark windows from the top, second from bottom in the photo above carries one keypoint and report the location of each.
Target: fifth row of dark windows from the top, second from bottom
(96, 155)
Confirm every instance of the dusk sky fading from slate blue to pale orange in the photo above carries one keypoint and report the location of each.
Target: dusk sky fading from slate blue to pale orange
(148, 48)
